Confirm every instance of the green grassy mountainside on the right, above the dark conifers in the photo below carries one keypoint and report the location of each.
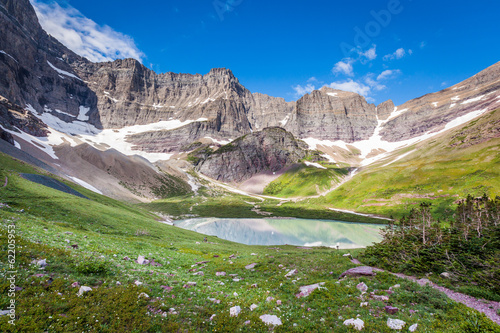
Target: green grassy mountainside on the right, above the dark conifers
(442, 169)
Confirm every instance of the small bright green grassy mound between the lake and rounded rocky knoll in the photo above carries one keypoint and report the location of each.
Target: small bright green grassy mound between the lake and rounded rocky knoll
(303, 181)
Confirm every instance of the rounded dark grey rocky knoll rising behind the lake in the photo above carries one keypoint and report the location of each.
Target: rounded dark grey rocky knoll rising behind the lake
(271, 149)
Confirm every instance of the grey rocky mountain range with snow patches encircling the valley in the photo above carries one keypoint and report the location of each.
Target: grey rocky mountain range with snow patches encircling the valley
(60, 107)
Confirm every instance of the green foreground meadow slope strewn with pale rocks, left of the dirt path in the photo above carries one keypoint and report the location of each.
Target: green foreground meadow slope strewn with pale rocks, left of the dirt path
(106, 231)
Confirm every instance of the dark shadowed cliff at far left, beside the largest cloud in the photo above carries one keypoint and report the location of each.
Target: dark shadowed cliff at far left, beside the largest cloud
(34, 67)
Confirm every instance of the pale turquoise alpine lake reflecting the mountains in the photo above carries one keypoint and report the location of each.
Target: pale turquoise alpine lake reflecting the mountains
(301, 232)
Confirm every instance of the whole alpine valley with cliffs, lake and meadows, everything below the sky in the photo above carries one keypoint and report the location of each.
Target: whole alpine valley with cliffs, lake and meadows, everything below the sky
(108, 169)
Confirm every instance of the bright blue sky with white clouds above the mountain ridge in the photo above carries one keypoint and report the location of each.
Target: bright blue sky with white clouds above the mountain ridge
(381, 49)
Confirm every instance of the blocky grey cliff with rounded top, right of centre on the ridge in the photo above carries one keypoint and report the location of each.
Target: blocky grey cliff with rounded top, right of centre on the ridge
(330, 114)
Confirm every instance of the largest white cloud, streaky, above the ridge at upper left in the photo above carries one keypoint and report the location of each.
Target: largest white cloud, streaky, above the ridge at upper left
(84, 36)
